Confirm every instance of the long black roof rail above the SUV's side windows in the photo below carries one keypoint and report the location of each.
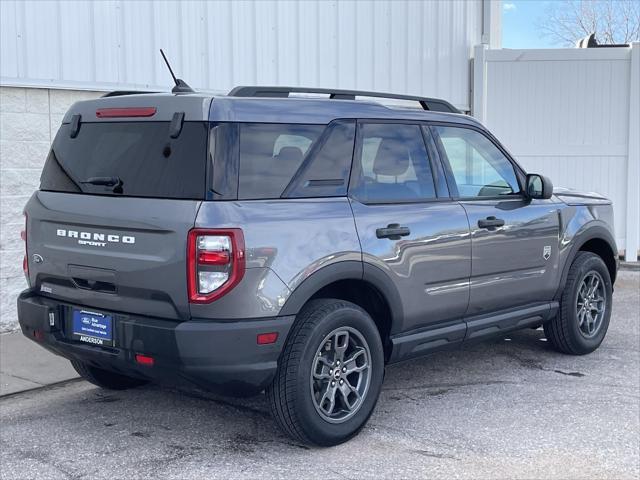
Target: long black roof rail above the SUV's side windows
(433, 104)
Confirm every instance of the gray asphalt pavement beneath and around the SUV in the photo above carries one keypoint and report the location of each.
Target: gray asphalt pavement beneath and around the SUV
(507, 408)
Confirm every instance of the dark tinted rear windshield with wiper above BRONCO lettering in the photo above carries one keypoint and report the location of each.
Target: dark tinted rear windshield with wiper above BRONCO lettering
(137, 159)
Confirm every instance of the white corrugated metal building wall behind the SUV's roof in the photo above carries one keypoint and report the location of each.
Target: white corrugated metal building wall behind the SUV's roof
(402, 46)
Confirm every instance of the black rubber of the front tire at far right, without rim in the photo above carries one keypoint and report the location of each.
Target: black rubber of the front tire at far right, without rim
(564, 332)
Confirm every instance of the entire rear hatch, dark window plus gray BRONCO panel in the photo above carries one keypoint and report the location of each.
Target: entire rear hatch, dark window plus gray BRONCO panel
(108, 228)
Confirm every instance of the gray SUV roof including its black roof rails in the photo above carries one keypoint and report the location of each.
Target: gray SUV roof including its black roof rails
(275, 105)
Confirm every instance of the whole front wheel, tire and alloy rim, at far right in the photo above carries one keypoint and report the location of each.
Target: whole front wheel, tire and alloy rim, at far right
(585, 307)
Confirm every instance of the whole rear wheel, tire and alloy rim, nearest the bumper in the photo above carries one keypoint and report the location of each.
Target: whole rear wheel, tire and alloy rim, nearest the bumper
(330, 374)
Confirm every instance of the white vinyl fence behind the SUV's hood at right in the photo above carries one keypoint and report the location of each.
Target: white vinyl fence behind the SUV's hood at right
(571, 114)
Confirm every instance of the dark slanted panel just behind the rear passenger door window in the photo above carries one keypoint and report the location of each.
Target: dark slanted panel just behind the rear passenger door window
(325, 173)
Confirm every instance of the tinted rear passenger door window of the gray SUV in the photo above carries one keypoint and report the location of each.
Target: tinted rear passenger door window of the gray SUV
(393, 165)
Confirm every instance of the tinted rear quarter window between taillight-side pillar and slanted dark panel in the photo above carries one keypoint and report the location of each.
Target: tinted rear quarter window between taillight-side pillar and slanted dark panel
(270, 154)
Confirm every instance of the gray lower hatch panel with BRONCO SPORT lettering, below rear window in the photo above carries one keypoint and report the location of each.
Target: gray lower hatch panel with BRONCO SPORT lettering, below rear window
(117, 254)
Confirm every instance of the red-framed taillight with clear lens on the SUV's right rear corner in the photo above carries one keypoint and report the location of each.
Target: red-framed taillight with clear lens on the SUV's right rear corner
(215, 263)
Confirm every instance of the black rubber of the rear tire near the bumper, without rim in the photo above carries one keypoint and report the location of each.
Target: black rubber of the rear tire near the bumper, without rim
(291, 396)
